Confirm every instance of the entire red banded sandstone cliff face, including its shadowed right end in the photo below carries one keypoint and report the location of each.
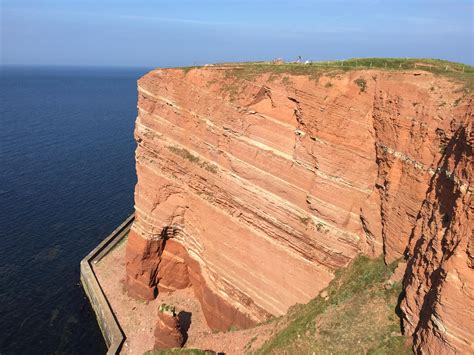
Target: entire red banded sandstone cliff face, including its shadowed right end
(254, 189)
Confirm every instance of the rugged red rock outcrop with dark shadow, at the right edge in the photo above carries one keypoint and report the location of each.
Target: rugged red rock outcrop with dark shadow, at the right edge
(439, 285)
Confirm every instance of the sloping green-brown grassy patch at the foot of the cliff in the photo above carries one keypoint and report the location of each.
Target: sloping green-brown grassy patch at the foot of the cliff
(359, 316)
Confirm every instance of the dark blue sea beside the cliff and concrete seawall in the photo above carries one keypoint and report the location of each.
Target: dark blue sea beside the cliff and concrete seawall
(66, 181)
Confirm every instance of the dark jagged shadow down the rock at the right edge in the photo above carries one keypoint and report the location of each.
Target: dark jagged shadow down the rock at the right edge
(433, 229)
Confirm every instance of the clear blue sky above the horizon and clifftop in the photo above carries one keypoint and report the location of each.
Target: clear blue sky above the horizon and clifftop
(184, 32)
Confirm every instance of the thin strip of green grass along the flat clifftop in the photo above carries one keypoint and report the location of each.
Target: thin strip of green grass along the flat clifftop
(250, 70)
